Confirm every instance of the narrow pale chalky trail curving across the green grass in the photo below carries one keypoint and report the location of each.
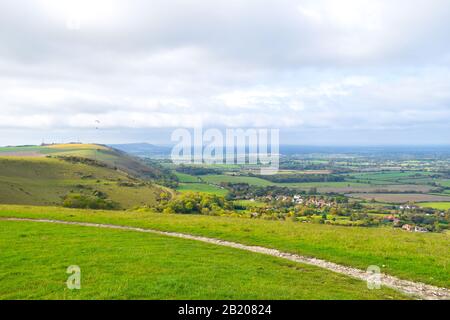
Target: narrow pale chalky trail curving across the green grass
(416, 289)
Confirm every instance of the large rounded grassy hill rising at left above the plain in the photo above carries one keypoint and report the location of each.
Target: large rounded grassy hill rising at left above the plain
(47, 175)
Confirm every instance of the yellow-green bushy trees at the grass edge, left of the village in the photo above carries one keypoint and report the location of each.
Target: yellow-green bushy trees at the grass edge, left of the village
(195, 203)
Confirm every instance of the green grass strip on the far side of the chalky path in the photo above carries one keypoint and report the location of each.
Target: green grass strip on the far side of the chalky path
(413, 256)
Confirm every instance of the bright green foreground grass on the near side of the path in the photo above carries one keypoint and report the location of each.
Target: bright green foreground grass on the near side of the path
(119, 264)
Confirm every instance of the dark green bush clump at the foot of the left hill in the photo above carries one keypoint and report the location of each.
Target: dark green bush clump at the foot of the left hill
(95, 201)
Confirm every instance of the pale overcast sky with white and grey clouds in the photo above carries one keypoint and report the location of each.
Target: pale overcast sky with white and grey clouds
(323, 71)
